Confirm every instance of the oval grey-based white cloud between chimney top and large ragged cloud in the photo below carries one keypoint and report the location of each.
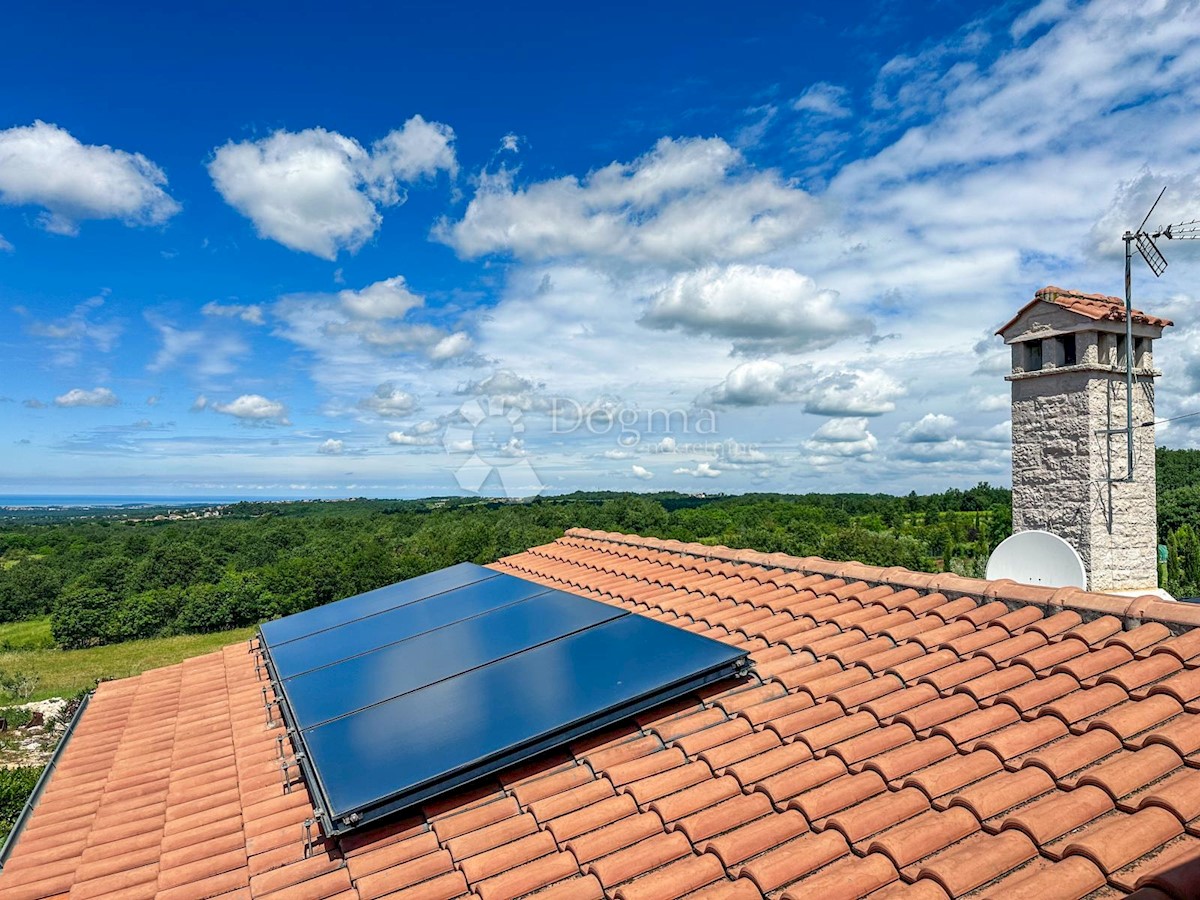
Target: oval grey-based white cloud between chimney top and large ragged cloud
(761, 308)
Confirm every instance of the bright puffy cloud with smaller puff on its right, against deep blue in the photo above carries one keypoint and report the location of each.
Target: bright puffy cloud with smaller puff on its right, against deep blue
(321, 193)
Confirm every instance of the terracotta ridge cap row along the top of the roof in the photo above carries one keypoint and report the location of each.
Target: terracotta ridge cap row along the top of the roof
(1133, 611)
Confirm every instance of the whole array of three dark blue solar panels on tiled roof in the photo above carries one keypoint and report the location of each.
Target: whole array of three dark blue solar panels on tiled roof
(394, 706)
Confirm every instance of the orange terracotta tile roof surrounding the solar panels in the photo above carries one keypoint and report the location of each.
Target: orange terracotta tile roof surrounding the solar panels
(905, 736)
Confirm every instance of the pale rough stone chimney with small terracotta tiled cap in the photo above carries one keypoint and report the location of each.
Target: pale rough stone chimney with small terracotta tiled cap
(1070, 451)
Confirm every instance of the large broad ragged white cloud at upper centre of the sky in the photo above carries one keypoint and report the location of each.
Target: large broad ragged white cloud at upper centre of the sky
(687, 202)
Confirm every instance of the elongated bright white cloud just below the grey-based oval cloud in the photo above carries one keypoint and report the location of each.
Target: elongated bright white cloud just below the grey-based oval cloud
(839, 393)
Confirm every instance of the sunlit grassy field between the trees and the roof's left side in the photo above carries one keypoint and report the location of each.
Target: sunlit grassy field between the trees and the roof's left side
(64, 674)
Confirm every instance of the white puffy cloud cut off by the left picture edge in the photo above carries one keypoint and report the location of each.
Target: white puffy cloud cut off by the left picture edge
(43, 165)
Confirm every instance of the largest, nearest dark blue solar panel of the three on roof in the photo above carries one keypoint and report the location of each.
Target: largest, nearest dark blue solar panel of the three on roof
(425, 742)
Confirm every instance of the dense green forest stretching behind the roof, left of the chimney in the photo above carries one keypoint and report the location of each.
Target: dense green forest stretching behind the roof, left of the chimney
(112, 581)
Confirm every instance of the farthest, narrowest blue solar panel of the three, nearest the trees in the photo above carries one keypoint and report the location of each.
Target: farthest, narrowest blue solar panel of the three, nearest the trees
(392, 626)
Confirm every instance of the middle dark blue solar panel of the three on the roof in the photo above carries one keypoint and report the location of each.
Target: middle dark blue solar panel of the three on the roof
(435, 656)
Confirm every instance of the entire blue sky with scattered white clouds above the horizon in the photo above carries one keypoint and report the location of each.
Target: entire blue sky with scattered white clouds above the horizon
(411, 251)
